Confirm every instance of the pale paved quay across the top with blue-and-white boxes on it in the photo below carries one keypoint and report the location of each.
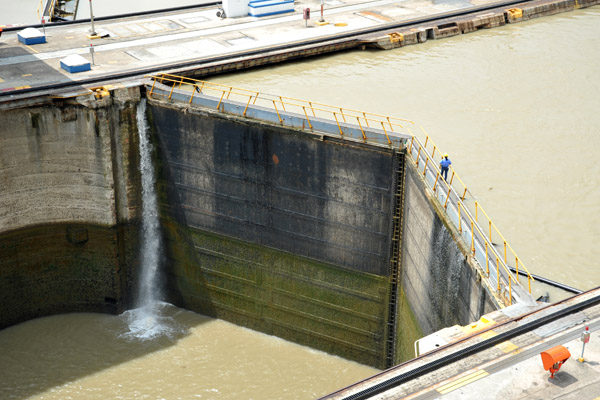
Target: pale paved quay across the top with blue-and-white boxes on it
(198, 34)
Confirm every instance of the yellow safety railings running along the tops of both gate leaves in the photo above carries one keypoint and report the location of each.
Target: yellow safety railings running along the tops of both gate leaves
(426, 153)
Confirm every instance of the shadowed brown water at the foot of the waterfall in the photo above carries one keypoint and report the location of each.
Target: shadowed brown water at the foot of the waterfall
(66, 348)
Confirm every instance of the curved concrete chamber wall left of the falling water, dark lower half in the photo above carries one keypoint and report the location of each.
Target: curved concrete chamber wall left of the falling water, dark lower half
(69, 197)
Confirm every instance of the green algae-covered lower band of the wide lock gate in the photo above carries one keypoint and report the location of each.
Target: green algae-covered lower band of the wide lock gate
(334, 309)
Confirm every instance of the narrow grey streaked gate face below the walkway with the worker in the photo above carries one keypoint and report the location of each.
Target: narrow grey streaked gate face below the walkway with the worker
(439, 278)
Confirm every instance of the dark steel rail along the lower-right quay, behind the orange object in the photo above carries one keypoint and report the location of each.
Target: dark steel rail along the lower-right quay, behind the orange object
(472, 349)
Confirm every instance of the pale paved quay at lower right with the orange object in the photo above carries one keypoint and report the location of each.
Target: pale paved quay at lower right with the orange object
(511, 369)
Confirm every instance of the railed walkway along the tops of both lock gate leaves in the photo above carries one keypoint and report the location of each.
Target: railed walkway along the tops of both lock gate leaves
(473, 223)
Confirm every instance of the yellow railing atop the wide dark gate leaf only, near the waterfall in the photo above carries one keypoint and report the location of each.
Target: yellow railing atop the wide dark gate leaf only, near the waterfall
(309, 109)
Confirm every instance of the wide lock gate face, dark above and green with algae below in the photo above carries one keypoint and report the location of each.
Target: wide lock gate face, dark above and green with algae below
(283, 231)
